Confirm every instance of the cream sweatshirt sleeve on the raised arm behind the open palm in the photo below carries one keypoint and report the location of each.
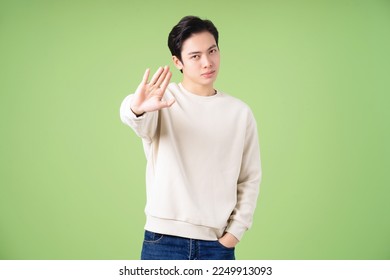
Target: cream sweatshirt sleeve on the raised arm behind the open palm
(144, 126)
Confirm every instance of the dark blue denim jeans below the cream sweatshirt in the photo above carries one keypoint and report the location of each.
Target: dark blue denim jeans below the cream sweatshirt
(167, 247)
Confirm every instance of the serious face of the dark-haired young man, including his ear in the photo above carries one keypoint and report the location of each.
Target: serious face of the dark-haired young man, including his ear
(200, 59)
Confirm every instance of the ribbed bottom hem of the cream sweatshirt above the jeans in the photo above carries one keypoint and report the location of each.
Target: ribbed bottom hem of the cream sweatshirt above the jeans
(182, 229)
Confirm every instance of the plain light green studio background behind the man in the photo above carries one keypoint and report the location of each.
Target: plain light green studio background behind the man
(315, 73)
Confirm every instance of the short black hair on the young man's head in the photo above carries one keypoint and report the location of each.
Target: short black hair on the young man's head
(184, 29)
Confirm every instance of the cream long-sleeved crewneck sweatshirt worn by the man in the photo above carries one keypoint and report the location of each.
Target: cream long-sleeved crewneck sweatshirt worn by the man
(203, 164)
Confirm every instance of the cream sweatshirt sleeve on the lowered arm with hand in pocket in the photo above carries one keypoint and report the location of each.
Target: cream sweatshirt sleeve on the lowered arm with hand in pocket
(248, 182)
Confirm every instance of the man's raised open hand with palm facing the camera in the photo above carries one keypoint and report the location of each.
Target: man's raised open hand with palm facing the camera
(148, 96)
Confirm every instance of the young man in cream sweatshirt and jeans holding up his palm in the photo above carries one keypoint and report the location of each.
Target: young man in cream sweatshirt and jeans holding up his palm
(203, 159)
